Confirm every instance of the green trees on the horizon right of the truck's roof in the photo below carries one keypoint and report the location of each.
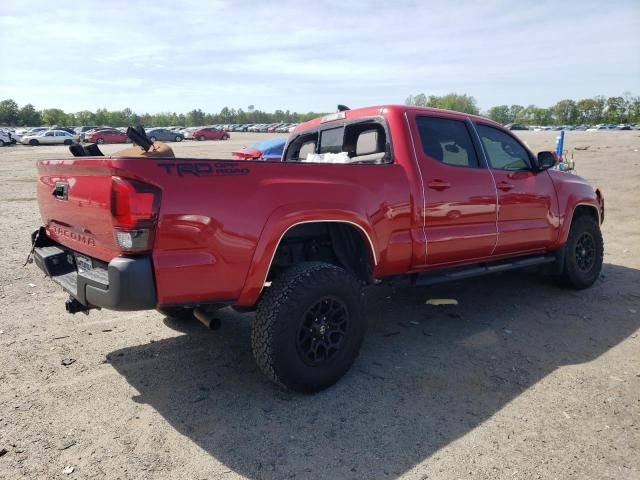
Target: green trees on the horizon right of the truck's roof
(599, 109)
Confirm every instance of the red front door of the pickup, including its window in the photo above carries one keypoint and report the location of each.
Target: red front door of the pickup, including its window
(526, 219)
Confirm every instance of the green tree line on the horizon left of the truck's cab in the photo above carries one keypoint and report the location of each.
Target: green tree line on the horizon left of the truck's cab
(12, 114)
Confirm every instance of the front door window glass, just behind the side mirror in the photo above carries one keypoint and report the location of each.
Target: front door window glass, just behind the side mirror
(503, 151)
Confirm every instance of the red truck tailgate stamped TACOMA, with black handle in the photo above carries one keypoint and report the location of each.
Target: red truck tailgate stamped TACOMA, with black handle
(74, 197)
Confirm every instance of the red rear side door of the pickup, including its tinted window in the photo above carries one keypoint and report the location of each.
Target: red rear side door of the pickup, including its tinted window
(460, 206)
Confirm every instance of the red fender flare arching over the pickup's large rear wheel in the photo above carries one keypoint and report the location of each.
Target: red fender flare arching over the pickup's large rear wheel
(276, 227)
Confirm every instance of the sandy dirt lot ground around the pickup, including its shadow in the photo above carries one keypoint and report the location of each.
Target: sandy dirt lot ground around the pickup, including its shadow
(521, 380)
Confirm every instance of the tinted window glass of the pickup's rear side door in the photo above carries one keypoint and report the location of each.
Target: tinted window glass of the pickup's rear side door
(448, 141)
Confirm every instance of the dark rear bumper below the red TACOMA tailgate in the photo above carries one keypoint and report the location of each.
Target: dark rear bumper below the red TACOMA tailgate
(125, 283)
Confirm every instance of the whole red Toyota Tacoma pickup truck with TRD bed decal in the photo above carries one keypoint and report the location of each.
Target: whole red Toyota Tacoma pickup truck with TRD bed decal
(359, 195)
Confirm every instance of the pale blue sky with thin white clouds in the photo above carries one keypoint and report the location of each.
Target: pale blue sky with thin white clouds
(174, 56)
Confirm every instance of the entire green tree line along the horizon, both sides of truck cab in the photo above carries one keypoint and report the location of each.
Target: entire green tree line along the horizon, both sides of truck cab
(599, 109)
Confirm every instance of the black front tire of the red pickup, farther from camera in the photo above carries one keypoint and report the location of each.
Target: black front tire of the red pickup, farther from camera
(574, 275)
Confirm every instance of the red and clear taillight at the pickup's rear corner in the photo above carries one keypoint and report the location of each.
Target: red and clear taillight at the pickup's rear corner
(134, 208)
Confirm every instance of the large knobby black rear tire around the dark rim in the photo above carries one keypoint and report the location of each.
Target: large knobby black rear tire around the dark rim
(279, 319)
